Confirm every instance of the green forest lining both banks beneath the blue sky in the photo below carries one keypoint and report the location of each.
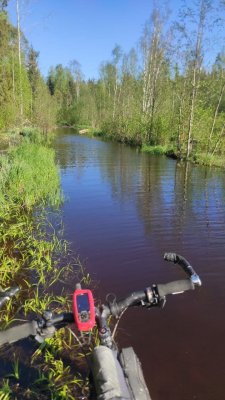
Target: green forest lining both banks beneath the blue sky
(162, 94)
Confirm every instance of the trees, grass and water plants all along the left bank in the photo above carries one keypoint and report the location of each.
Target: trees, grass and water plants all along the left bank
(32, 252)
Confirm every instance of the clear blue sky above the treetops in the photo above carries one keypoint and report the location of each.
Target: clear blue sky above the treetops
(84, 30)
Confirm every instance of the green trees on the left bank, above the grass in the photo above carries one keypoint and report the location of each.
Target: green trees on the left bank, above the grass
(24, 95)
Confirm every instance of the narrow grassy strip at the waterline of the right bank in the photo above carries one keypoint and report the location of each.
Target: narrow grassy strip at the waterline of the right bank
(168, 151)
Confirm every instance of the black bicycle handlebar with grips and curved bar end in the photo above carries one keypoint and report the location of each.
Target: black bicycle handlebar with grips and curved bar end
(152, 296)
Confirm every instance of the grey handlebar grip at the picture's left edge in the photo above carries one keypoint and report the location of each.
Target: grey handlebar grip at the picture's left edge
(18, 332)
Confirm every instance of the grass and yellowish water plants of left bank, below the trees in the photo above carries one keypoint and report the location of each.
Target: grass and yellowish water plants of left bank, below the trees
(34, 257)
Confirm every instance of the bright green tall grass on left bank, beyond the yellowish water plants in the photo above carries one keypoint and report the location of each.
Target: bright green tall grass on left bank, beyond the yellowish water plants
(29, 176)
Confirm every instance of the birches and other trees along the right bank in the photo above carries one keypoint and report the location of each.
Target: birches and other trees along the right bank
(158, 94)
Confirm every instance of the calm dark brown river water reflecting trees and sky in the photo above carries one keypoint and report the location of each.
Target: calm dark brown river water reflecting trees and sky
(123, 210)
